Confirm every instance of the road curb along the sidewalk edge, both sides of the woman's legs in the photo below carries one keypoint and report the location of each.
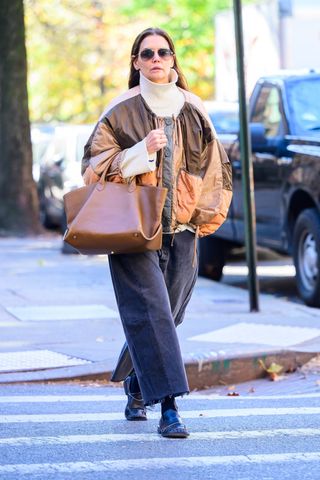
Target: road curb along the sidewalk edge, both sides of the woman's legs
(202, 373)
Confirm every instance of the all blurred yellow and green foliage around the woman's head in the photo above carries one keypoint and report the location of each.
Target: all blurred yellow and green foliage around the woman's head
(79, 50)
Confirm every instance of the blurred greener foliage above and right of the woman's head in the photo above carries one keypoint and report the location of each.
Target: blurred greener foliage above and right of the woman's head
(191, 25)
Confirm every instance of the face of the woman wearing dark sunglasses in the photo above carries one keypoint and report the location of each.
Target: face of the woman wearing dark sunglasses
(157, 68)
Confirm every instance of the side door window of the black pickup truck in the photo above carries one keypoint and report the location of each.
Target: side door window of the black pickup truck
(267, 111)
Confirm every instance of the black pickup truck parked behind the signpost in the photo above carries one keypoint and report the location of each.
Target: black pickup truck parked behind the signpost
(284, 116)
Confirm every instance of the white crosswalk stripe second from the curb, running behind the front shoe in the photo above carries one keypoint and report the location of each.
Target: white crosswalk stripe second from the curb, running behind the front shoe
(100, 417)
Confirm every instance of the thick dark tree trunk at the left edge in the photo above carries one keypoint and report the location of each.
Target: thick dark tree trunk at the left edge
(19, 209)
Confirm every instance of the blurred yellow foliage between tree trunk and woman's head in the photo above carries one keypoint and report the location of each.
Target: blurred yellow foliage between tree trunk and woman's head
(78, 57)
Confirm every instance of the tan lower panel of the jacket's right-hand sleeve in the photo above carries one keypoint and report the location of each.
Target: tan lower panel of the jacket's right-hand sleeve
(216, 192)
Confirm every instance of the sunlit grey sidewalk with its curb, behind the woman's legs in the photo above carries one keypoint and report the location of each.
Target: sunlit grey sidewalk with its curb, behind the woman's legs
(58, 321)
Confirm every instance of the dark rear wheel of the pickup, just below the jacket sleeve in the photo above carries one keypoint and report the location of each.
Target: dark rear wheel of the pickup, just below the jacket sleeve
(212, 257)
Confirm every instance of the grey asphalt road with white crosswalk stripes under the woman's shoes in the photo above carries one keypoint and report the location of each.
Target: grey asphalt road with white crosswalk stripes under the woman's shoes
(78, 432)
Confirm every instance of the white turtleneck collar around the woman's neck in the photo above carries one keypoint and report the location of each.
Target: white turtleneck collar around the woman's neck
(164, 99)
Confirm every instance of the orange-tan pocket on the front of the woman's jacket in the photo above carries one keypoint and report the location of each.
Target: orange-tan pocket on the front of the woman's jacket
(189, 188)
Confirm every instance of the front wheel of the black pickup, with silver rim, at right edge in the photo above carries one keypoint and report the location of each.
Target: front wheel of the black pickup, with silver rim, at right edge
(306, 256)
